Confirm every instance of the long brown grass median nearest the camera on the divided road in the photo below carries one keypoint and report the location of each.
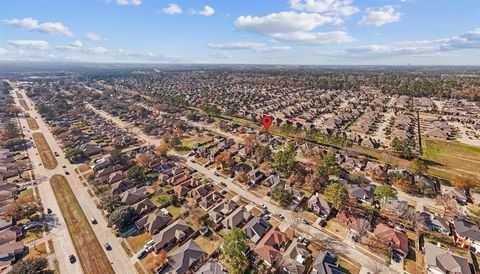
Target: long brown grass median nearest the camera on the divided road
(90, 252)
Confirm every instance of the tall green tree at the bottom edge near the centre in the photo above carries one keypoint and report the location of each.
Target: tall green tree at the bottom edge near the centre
(234, 250)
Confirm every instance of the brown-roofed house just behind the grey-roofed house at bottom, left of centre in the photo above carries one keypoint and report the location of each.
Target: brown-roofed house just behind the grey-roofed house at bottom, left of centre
(172, 234)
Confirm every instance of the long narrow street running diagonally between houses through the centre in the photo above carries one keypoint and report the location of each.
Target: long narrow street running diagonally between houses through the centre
(311, 231)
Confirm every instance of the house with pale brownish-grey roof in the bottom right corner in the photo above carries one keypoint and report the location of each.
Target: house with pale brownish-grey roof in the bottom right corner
(439, 260)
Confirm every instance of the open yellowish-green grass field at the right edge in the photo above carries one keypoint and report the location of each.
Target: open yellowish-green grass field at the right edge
(450, 158)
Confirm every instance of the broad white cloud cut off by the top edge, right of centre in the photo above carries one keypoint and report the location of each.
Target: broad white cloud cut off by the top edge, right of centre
(335, 7)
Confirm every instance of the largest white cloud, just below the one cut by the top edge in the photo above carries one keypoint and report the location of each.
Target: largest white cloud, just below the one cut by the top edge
(293, 27)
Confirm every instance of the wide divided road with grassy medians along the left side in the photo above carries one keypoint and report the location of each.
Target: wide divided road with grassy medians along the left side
(117, 256)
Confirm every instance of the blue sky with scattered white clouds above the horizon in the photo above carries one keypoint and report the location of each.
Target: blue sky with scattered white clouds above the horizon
(301, 32)
